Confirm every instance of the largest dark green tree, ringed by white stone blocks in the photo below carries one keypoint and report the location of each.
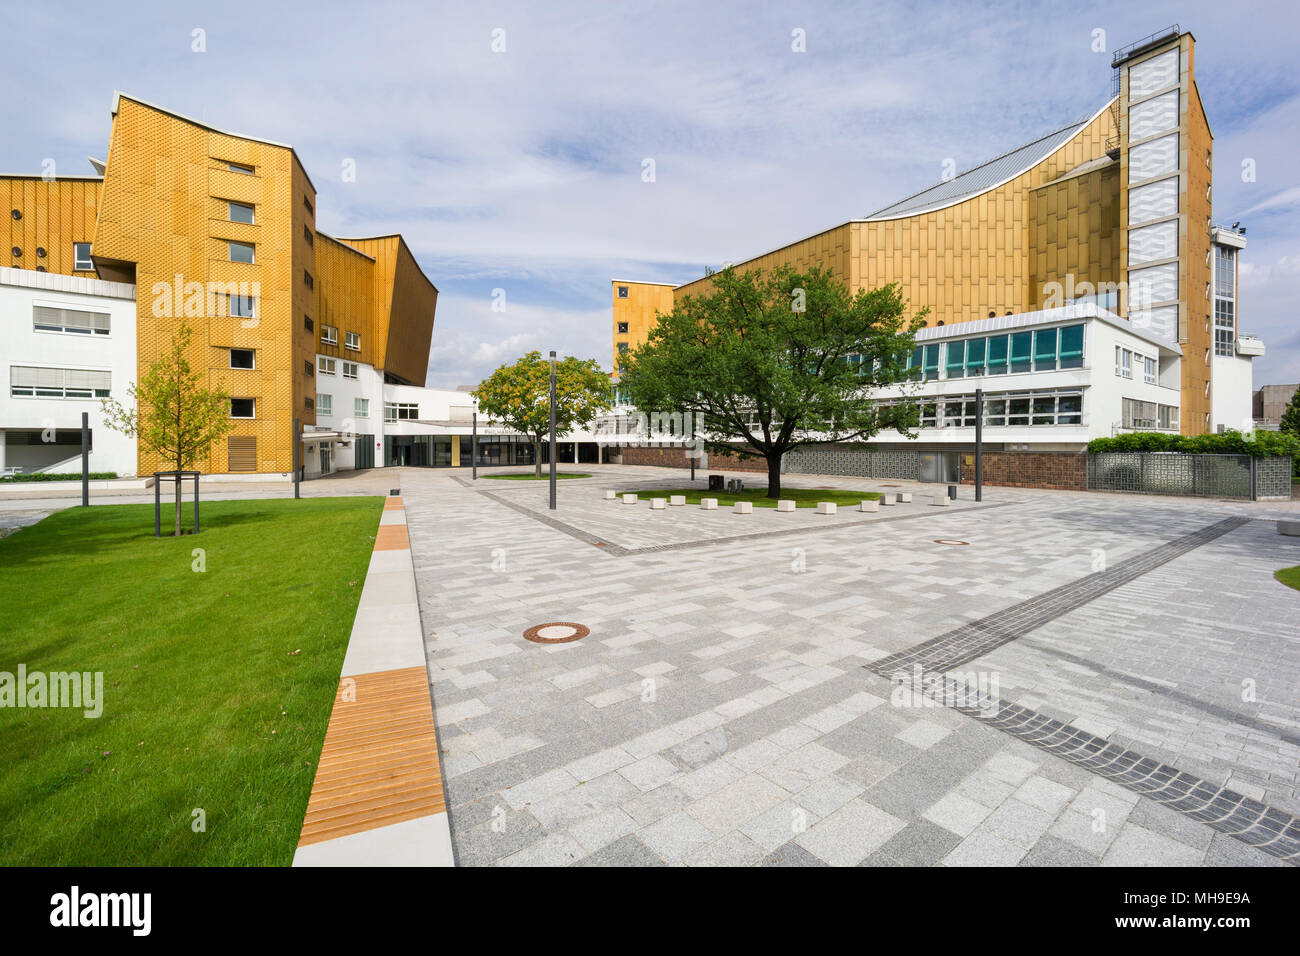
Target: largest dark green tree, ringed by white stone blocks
(769, 362)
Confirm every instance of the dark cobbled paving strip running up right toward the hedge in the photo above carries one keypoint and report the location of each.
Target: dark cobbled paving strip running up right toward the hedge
(978, 638)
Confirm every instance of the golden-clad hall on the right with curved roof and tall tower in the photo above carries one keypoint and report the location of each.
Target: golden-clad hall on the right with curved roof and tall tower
(1115, 210)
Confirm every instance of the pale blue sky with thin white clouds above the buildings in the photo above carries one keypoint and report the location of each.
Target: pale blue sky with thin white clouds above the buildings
(522, 170)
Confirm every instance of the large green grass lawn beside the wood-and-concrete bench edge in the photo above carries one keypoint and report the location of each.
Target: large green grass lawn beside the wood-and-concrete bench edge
(218, 685)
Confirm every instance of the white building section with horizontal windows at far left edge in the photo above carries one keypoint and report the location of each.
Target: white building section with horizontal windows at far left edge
(66, 343)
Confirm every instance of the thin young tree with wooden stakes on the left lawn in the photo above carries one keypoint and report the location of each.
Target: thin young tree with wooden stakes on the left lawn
(175, 414)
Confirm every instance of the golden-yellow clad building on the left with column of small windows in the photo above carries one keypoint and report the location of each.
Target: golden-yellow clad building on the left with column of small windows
(219, 231)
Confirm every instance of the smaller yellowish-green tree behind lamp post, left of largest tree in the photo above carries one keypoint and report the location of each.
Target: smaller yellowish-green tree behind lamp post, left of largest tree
(519, 396)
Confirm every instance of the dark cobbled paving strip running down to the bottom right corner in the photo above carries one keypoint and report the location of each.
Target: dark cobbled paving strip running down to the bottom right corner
(1251, 821)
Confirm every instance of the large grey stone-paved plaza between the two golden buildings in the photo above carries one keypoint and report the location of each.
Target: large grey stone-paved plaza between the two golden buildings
(734, 703)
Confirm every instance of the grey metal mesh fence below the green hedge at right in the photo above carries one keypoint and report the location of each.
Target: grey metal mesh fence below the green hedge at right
(1173, 473)
